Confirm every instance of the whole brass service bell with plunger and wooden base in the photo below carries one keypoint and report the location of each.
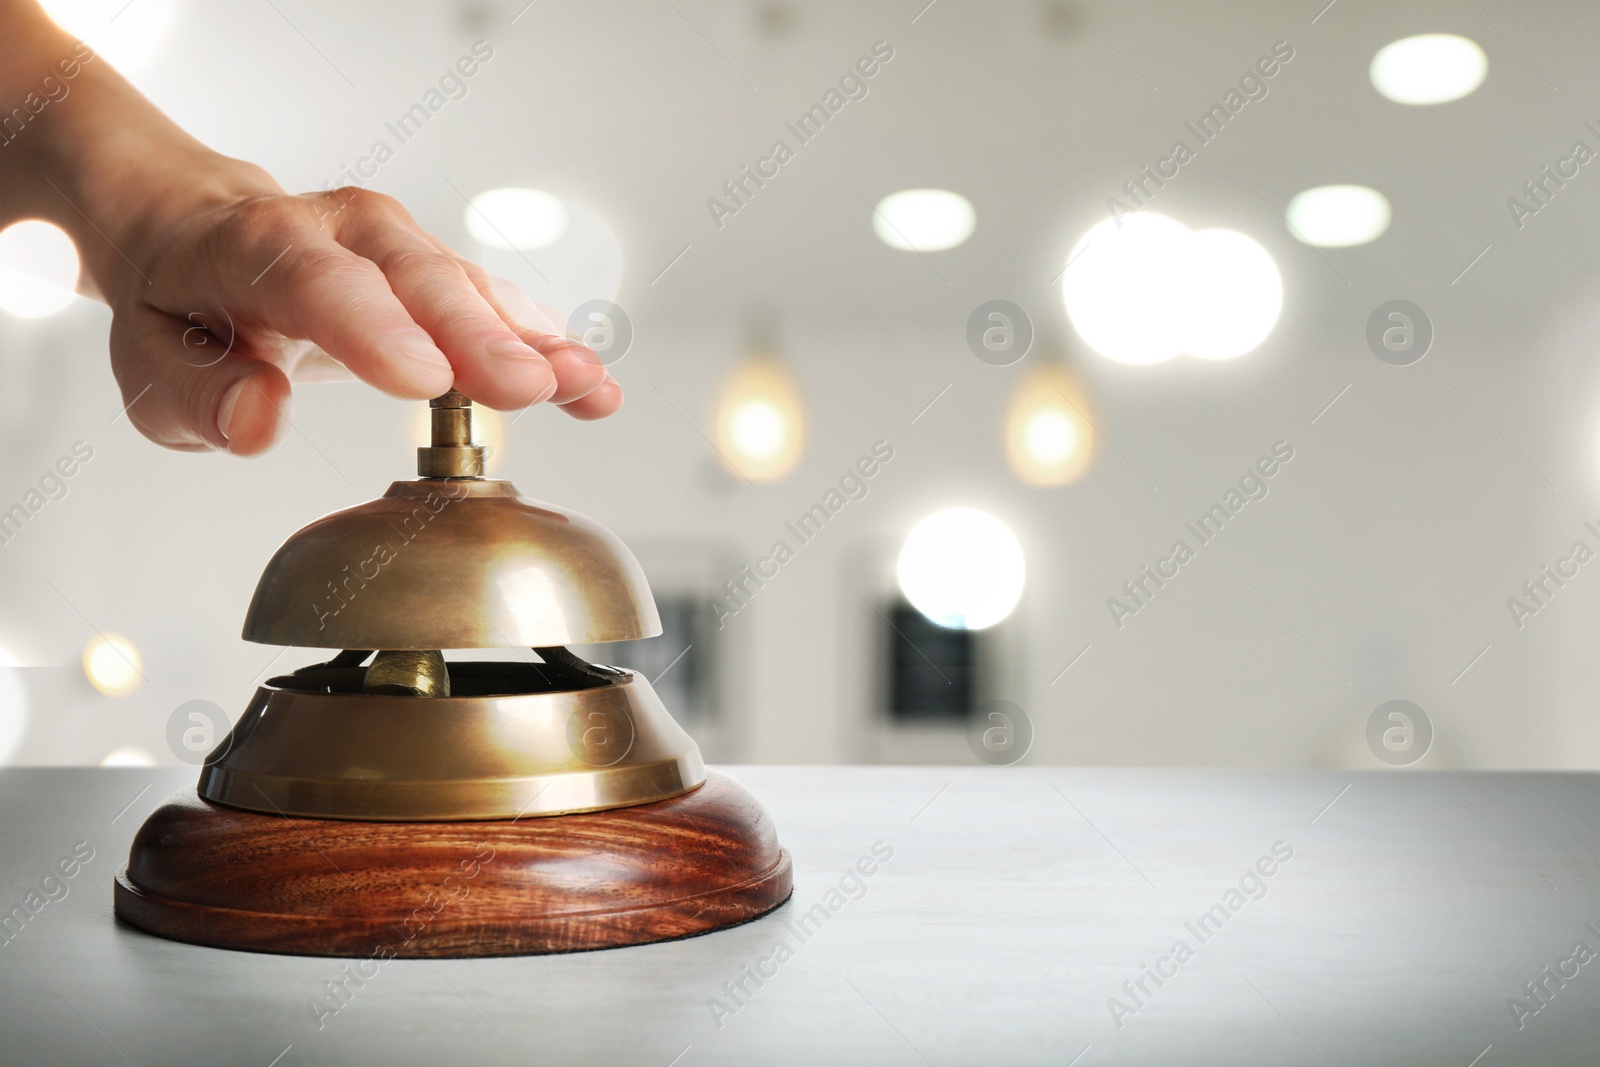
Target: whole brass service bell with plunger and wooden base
(398, 759)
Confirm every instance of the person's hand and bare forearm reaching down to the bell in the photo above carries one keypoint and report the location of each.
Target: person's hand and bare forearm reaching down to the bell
(225, 289)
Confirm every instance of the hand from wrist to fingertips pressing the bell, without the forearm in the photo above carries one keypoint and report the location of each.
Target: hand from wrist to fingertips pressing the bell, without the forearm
(218, 326)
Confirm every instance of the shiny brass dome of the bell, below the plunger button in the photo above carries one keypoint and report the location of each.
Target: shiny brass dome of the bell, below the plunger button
(452, 564)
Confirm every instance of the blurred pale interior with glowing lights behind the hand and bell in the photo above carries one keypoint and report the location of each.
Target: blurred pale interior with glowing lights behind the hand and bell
(980, 346)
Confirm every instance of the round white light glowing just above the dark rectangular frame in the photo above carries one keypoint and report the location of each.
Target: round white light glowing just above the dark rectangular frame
(962, 569)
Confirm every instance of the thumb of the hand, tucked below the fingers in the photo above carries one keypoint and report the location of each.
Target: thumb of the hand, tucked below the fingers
(194, 386)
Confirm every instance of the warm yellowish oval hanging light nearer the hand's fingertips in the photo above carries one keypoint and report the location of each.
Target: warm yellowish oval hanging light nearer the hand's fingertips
(761, 428)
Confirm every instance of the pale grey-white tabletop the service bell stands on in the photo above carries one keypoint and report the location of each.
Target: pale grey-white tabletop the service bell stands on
(1015, 906)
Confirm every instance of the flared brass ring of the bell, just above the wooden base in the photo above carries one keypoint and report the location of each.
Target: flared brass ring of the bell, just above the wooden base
(471, 759)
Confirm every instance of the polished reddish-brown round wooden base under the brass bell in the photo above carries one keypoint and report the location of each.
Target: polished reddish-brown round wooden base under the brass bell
(233, 879)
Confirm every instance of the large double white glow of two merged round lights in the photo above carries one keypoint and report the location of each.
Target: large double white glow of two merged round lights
(1143, 289)
